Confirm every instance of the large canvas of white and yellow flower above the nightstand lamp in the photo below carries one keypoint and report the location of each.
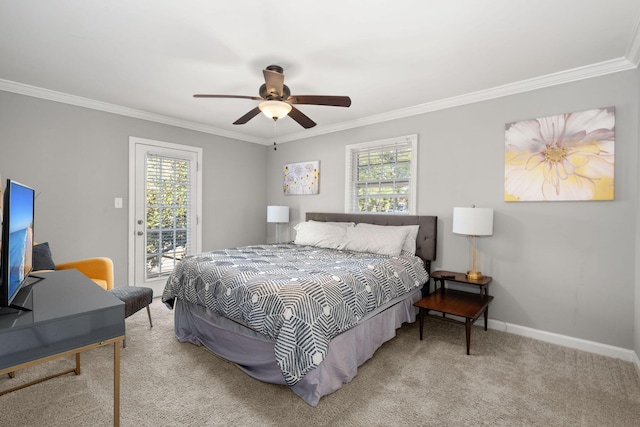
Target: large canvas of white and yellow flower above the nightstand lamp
(564, 157)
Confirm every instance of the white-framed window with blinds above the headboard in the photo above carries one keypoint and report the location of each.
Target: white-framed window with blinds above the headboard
(381, 176)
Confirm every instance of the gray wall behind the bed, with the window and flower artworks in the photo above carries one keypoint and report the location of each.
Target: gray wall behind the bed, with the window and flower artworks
(561, 267)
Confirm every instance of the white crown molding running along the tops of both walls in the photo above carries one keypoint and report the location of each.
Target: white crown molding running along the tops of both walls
(563, 77)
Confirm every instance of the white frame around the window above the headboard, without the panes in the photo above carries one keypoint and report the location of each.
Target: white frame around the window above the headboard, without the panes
(351, 150)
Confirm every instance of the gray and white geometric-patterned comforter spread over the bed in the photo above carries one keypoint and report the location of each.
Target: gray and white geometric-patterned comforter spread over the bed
(299, 296)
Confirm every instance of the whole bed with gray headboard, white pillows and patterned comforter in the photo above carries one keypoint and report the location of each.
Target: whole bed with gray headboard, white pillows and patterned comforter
(305, 315)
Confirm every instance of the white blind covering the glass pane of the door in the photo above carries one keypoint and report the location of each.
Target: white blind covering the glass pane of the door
(168, 201)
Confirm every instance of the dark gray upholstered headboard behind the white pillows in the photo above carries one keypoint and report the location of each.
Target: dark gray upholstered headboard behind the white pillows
(427, 233)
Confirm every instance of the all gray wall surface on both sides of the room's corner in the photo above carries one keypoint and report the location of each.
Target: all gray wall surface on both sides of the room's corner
(563, 267)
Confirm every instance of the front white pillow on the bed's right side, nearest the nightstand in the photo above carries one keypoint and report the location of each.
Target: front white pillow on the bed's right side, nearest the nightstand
(383, 240)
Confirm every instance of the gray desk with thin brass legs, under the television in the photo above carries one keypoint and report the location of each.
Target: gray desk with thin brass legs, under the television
(71, 314)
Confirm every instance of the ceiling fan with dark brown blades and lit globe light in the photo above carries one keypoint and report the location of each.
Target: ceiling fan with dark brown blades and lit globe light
(277, 100)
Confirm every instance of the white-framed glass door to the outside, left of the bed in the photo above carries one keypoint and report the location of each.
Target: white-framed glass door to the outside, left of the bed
(165, 218)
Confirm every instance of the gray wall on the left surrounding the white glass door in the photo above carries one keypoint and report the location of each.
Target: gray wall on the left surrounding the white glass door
(77, 159)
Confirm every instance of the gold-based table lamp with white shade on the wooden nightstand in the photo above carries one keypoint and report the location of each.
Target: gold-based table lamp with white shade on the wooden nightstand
(473, 222)
